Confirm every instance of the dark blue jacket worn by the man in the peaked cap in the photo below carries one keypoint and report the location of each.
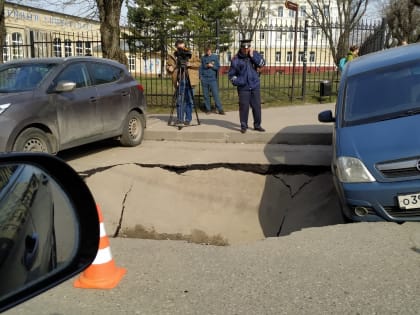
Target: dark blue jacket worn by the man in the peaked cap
(243, 71)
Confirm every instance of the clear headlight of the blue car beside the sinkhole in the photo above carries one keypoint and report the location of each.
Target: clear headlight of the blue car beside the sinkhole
(352, 170)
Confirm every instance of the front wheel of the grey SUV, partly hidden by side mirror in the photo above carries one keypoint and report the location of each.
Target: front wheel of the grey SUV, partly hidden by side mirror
(32, 140)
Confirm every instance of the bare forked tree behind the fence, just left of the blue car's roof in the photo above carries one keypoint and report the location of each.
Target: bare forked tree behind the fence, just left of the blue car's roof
(349, 14)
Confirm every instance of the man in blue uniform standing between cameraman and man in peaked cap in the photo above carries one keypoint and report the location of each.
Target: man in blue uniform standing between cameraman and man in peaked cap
(208, 76)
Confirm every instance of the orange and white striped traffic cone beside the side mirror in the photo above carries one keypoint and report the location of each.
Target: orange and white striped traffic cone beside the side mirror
(102, 273)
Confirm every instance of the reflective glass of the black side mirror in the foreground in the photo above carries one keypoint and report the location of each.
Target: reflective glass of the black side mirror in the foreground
(27, 232)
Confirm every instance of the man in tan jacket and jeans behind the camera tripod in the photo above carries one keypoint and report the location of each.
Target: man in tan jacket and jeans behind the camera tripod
(183, 66)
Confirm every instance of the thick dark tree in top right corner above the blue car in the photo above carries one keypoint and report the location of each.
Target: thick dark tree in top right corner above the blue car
(403, 19)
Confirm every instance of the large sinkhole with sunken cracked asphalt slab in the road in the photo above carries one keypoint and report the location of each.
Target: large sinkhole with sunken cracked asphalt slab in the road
(220, 204)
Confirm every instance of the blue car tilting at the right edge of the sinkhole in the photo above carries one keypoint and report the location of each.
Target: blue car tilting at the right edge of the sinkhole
(376, 137)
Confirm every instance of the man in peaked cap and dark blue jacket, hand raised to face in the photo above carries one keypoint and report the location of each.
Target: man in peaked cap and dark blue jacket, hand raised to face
(244, 74)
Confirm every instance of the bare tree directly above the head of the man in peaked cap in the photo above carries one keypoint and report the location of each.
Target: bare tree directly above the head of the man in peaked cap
(249, 14)
